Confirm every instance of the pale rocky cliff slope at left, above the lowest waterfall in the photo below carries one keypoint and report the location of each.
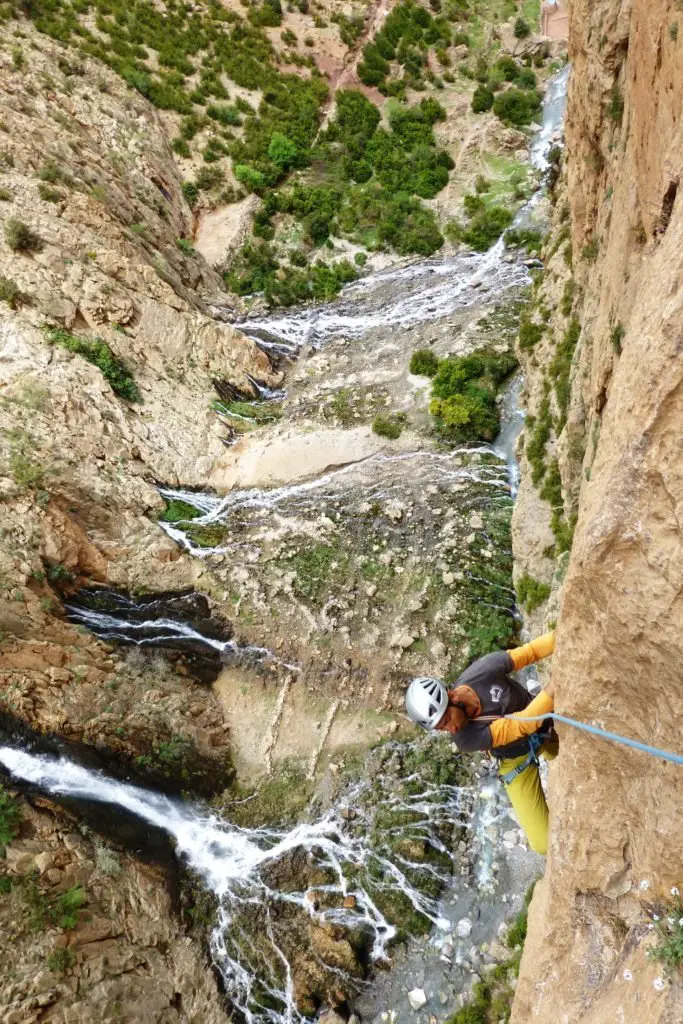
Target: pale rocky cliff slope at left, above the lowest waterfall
(88, 168)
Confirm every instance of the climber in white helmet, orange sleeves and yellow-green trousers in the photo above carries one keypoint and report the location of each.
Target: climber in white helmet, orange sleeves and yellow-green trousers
(473, 712)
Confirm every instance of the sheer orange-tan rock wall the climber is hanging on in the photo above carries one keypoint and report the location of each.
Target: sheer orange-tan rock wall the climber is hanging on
(617, 815)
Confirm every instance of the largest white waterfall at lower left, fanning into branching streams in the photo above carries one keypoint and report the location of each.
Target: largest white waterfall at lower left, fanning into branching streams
(234, 865)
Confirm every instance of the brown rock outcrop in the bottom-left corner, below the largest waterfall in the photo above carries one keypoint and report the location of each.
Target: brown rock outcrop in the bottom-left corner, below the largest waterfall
(94, 933)
